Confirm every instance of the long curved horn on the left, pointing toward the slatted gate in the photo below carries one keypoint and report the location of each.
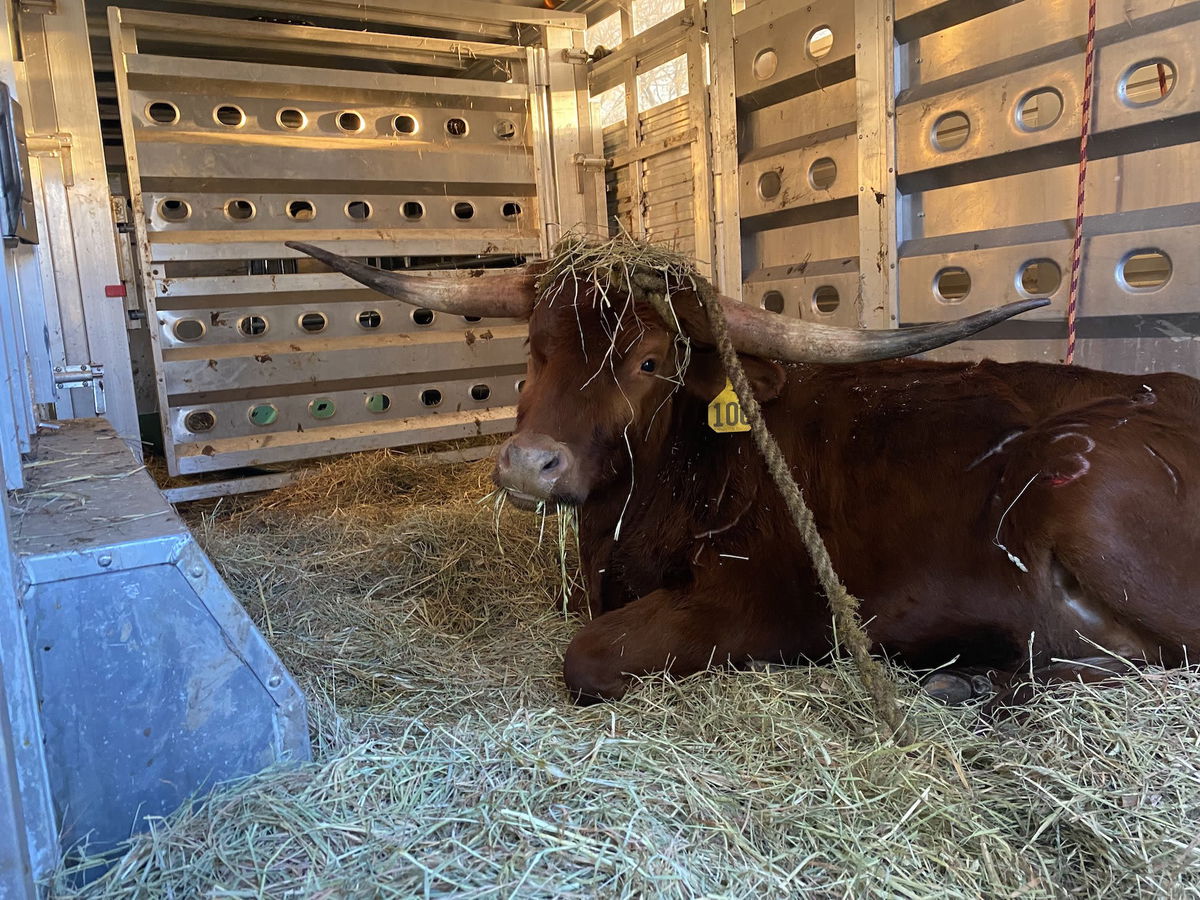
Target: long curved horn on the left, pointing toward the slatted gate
(476, 292)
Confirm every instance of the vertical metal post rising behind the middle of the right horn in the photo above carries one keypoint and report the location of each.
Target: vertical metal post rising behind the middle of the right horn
(878, 201)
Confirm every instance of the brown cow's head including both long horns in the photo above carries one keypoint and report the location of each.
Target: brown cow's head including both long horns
(605, 371)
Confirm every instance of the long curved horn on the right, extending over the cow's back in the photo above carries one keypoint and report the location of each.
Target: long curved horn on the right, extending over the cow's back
(773, 337)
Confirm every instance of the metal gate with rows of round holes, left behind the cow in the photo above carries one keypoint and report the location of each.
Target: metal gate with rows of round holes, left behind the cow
(261, 357)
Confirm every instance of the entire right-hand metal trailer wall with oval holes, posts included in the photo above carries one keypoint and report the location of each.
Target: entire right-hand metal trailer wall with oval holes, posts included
(917, 160)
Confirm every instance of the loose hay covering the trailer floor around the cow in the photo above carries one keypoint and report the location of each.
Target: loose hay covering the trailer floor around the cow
(449, 763)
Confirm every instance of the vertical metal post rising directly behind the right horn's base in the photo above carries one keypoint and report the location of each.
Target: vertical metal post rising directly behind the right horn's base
(728, 262)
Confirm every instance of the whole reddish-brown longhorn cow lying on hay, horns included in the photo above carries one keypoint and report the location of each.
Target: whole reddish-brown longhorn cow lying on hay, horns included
(998, 515)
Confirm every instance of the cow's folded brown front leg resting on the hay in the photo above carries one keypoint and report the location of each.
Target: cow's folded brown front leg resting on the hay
(665, 632)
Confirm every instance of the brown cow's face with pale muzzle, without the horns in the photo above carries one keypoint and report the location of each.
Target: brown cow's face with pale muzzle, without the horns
(602, 386)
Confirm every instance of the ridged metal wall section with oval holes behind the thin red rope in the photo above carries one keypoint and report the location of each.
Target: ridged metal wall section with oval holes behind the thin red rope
(988, 154)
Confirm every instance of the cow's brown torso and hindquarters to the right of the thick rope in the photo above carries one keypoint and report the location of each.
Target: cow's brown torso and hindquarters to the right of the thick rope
(973, 505)
